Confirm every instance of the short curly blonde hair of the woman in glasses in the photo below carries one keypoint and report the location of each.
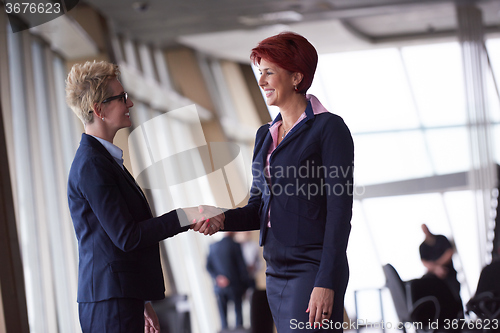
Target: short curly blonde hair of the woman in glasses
(86, 85)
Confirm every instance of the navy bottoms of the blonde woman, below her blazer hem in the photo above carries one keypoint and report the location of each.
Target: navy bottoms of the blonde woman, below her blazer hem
(117, 315)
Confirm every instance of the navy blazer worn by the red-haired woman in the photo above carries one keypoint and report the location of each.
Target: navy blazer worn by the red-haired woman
(309, 193)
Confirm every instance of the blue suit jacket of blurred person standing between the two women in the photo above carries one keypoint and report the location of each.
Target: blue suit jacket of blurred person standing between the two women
(225, 258)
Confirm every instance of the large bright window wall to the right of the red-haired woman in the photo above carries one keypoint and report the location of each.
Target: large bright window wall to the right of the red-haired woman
(406, 109)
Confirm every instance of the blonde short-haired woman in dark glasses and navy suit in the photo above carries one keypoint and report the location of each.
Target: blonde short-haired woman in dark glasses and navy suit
(119, 260)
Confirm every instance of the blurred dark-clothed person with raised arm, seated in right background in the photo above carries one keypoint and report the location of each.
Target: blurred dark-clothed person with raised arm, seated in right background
(436, 252)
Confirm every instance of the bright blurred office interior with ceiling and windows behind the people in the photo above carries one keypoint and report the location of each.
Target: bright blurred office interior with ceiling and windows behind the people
(417, 82)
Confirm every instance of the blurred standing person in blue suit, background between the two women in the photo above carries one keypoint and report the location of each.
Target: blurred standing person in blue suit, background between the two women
(226, 265)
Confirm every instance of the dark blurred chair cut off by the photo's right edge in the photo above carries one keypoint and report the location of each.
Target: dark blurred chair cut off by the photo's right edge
(486, 302)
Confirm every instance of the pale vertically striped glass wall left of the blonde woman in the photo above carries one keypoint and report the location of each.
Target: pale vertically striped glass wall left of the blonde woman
(44, 141)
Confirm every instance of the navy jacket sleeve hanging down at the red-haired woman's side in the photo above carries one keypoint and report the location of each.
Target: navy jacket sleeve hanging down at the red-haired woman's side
(337, 151)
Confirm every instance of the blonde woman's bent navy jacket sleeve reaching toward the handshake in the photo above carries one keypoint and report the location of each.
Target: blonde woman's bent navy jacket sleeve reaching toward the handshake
(100, 186)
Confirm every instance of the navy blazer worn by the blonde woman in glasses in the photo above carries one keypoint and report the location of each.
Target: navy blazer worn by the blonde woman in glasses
(117, 234)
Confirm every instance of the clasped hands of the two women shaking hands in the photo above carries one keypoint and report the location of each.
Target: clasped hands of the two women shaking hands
(205, 219)
